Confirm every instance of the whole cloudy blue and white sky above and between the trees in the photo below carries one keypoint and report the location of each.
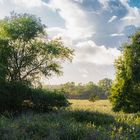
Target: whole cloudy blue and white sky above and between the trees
(95, 29)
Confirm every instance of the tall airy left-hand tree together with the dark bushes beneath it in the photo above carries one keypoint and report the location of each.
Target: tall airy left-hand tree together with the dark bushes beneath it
(26, 55)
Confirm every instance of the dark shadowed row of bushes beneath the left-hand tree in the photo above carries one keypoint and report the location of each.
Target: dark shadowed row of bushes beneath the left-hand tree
(18, 97)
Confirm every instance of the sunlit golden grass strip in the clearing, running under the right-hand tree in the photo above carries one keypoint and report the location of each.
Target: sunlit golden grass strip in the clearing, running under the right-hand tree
(104, 106)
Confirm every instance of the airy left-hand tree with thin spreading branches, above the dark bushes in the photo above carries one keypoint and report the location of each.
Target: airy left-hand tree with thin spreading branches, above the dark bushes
(25, 51)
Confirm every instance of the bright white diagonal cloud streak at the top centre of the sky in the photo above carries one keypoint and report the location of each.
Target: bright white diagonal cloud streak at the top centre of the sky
(76, 21)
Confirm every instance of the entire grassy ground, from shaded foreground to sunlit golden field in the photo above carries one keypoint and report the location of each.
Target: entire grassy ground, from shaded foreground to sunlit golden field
(83, 120)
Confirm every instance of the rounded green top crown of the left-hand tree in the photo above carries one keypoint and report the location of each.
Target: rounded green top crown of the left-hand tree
(21, 26)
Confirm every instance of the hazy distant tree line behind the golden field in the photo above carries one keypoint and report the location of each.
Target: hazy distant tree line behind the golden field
(72, 90)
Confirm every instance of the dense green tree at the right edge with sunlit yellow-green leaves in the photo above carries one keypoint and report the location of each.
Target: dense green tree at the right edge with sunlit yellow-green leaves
(126, 87)
